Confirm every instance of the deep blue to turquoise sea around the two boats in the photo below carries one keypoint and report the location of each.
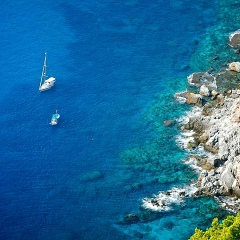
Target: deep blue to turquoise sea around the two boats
(118, 65)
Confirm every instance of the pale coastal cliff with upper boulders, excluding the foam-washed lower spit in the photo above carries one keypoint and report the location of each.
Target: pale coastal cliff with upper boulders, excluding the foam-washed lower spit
(217, 128)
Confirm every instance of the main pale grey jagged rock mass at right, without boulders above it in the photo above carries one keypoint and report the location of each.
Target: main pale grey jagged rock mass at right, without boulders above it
(220, 135)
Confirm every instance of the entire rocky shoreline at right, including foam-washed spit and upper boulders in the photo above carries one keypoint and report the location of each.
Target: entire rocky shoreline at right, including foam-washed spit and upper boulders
(216, 129)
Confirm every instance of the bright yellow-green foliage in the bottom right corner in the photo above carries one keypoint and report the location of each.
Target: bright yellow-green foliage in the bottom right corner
(228, 229)
